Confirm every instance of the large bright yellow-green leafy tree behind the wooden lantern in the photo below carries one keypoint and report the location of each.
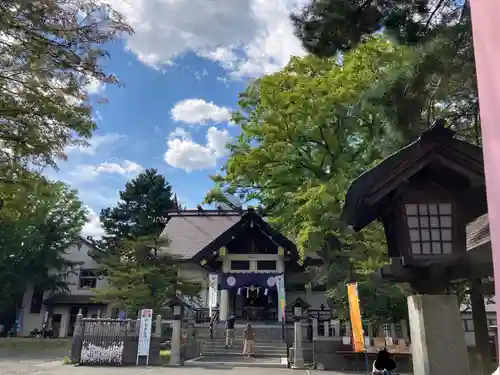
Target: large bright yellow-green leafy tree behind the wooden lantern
(307, 132)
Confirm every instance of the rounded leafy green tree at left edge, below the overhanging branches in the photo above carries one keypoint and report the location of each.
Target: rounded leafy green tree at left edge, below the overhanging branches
(38, 225)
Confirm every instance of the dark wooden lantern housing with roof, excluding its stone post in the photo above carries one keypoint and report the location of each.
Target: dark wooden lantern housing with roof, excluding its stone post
(424, 195)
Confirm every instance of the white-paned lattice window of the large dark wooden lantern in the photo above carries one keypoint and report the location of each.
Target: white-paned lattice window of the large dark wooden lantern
(431, 228)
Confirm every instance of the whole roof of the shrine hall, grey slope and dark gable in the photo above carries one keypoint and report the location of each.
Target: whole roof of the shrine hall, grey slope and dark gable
(195, 234)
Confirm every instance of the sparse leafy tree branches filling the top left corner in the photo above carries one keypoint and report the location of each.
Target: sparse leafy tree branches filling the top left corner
(50, 52)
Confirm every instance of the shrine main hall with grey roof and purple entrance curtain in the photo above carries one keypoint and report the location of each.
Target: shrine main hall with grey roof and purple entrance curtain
(246, 254)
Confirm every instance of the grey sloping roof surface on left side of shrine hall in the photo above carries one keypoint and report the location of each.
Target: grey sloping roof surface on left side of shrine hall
(190, 231)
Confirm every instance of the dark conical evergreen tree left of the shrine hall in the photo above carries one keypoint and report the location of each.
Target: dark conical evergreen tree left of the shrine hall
(138, 270)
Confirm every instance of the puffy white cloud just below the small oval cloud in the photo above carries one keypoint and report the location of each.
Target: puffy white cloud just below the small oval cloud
(186, 154)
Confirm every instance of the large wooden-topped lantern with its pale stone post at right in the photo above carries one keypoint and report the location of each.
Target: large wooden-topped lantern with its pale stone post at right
(424, 195)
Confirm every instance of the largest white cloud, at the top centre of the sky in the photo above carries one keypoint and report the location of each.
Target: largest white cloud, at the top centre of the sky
(247, 37)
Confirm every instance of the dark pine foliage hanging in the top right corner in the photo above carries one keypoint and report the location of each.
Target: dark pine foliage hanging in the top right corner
(440, 81)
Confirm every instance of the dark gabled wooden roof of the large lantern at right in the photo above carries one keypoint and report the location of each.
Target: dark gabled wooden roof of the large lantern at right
(437, 144)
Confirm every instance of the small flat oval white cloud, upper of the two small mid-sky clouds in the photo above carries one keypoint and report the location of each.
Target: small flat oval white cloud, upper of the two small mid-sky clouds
(198, 111)
